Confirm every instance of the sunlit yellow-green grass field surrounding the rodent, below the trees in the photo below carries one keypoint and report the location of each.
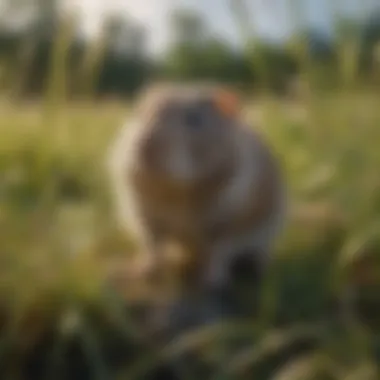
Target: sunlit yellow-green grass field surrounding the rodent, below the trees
(58, 235)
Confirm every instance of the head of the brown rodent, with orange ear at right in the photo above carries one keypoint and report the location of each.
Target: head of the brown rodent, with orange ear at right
(187, 131)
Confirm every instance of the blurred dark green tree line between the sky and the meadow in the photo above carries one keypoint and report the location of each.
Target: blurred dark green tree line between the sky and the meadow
(117, 63)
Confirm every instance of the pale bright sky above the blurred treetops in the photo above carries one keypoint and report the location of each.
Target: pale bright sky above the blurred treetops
(271, 18)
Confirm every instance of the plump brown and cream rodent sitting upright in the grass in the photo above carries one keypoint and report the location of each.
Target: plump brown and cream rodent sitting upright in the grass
(186, 169)
